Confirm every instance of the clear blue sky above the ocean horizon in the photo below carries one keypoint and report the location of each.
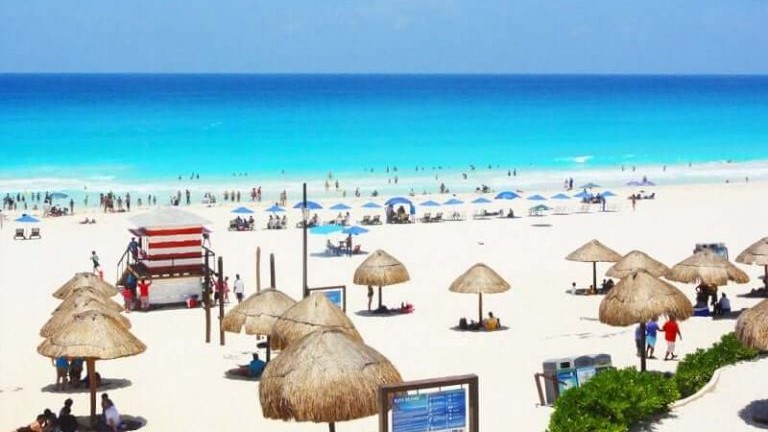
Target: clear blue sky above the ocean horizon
(385, 36)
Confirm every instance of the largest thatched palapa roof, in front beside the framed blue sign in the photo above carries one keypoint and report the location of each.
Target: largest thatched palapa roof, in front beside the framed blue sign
(327, 376)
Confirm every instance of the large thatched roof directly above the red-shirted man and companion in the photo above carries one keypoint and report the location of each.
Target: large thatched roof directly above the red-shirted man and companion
(639, 297)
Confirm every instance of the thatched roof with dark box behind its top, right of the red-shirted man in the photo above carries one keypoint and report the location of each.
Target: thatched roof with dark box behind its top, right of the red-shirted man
(706, 267)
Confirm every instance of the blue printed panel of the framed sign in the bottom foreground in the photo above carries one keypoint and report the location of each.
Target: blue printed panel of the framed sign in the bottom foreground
(438, 412)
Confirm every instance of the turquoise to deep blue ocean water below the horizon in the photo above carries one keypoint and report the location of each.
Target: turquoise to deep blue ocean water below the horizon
(71, 132)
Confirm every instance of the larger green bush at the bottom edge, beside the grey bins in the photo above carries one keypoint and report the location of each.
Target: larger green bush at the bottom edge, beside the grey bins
(613, 401)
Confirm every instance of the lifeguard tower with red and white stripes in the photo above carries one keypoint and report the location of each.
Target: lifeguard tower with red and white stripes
(171, 254)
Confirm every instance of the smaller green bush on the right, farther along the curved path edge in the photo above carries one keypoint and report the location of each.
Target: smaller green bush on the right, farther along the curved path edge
(696, 368)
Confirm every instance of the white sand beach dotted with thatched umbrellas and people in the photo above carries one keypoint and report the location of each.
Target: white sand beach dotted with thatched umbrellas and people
(179, 383)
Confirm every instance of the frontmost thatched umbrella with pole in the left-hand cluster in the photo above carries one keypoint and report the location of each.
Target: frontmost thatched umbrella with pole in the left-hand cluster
(92, 335)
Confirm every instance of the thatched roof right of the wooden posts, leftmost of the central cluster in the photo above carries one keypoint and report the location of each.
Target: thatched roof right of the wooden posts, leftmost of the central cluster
(258, 312)
